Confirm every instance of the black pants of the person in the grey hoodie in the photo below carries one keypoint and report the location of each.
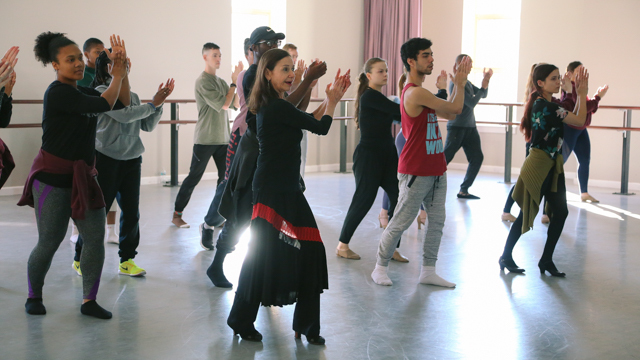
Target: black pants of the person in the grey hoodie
(120, 180)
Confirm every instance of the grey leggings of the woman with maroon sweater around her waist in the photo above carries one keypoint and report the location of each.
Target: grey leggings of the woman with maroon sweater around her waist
(53, 210)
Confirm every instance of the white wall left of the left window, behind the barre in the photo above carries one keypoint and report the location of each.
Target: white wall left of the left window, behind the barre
(163, 40)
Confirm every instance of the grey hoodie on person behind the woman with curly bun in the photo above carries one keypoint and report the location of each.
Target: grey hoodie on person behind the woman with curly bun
(118, 131)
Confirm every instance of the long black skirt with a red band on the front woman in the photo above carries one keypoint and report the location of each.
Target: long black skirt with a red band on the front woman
(286, 257)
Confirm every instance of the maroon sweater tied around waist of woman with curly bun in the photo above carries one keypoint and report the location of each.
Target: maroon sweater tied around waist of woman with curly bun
(85, 191)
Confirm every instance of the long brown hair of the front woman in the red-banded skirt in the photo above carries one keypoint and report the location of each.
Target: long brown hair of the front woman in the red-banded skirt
(262, 91)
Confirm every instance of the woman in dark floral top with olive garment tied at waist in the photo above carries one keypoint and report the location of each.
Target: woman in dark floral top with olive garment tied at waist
(542, 173)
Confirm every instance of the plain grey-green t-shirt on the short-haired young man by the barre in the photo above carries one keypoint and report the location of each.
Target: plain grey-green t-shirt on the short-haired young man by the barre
(213, 122)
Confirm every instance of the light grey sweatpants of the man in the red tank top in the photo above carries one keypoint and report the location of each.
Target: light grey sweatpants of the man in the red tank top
(431, 191)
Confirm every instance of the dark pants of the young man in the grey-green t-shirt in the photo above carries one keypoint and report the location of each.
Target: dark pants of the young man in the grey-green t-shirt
(199, 161)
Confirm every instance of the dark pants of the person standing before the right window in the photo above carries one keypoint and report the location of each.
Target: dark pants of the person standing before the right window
(469, 139)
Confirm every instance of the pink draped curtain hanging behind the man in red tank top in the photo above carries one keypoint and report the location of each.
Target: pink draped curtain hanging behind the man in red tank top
(387, 25)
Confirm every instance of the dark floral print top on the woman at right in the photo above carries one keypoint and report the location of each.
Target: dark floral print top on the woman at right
(547, 130)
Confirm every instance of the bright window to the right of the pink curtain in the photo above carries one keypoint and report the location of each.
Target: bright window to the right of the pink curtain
(491, 36)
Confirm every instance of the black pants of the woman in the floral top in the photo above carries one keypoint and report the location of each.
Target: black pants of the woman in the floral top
(558, 212)
